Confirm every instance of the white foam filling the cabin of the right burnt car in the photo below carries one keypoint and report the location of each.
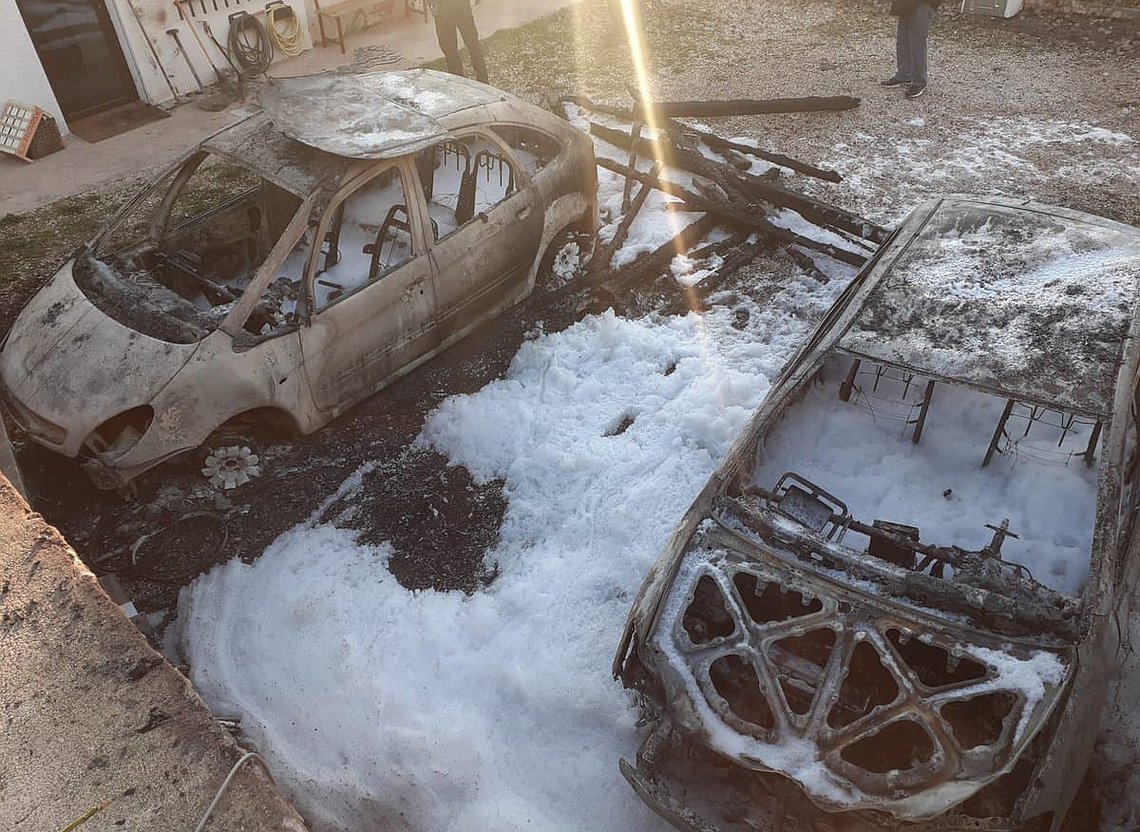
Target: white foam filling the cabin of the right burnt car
(862, 453)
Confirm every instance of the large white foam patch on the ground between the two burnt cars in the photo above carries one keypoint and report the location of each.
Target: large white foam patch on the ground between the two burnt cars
(382, 708)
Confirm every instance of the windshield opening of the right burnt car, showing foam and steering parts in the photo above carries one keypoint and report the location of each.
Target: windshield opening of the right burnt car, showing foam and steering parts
(923, 476)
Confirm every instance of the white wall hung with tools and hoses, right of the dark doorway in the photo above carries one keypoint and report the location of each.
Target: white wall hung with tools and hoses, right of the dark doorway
(152, 70)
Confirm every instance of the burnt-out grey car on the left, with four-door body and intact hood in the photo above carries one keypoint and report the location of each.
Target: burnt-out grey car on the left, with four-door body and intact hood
(295, 264)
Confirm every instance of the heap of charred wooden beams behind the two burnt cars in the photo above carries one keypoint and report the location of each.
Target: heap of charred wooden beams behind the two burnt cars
(724, 190)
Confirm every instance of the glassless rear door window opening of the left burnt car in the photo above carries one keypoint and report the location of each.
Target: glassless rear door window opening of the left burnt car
(463, 180)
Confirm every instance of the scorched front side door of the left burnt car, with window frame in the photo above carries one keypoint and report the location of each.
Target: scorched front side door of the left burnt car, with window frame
(421, 291)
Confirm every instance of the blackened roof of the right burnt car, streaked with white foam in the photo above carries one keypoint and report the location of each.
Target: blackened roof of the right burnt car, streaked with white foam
(1028, 300)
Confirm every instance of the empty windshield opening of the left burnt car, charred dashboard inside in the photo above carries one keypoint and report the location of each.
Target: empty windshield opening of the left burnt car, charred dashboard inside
(176, 264)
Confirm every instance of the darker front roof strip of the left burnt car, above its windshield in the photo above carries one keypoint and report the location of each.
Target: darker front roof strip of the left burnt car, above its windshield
(258, 144)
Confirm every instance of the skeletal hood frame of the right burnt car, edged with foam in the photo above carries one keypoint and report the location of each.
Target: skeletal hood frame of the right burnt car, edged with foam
(862, 700)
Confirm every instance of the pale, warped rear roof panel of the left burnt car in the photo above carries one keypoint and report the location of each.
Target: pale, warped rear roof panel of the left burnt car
(373, 116)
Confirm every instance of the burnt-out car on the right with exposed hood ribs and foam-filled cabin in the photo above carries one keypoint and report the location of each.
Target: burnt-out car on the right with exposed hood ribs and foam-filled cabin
(898, 602)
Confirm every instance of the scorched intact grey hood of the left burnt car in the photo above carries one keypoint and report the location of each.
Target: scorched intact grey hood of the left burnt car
(69, 363)
